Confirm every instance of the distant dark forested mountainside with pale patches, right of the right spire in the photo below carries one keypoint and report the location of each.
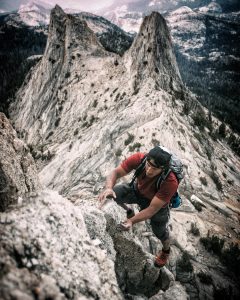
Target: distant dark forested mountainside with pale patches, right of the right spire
(208, 55)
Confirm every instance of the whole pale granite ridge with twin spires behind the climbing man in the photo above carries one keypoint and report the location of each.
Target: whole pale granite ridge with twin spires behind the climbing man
(78, 88)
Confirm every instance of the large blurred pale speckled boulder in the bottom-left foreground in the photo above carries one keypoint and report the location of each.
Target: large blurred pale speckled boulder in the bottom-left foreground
(46, 252)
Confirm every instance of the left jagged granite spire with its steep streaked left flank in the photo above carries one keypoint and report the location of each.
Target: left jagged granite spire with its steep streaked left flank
(69, 43)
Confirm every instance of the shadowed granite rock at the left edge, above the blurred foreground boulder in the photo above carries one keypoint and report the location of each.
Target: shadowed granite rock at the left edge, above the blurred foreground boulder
(18, 174)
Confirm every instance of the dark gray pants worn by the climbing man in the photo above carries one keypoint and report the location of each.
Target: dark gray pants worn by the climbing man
(127, 194)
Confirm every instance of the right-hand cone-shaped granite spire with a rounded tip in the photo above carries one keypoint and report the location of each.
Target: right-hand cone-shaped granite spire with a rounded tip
(152, 56)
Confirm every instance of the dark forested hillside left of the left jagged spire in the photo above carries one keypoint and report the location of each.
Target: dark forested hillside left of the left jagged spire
(17, 44)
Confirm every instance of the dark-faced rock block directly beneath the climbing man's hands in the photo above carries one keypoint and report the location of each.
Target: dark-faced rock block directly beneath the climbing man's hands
(134, 266)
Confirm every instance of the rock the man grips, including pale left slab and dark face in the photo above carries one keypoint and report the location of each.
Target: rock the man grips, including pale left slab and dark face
(134, 265)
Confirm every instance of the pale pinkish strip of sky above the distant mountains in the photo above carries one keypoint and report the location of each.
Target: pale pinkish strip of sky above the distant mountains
(90, 5)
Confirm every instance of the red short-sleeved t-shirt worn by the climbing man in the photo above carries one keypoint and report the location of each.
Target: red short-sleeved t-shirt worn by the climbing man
(147, 186)
